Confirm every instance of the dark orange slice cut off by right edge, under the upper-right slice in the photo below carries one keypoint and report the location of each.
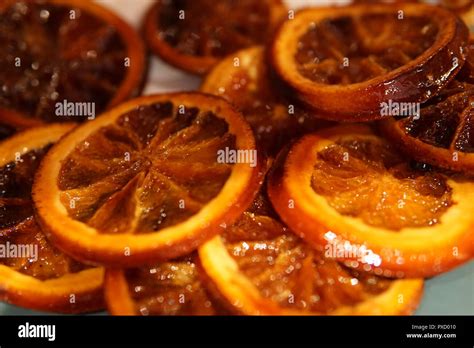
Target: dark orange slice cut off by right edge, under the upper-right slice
(442, 133)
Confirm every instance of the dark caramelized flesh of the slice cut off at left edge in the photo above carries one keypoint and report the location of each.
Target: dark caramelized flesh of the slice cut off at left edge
(21, 239)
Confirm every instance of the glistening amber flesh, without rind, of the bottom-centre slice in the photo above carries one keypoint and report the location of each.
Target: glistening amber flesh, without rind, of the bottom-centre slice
(287, 271)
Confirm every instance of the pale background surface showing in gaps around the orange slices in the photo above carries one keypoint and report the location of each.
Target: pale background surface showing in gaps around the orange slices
(451, 293)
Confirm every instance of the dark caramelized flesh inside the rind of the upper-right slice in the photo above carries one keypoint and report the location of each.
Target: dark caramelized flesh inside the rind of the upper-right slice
(354, 49)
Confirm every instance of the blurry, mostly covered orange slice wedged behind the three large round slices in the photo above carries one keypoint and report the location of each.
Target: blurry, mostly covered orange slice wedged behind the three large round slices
(243, 79)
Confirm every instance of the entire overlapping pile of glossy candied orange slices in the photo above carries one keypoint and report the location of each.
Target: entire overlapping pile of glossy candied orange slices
(239, 198)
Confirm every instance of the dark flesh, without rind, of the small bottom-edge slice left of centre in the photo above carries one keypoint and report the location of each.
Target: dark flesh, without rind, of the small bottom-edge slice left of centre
(170, 288)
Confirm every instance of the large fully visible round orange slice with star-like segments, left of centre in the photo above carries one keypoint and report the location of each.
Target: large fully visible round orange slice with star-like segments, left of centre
(149, 180)
